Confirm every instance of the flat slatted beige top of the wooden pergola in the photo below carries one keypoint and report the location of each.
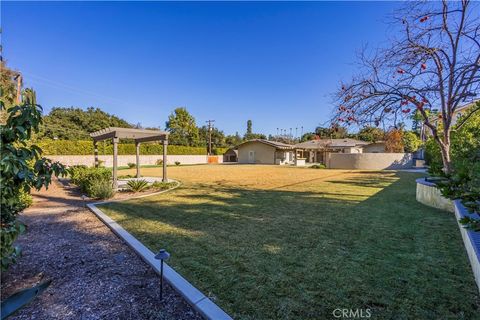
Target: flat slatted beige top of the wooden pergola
(139, 135)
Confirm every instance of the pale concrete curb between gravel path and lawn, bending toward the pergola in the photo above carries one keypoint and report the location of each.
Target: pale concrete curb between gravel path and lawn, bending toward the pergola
(206, 307)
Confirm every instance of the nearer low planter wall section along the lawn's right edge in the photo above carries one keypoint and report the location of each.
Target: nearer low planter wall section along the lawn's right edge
(471, 240)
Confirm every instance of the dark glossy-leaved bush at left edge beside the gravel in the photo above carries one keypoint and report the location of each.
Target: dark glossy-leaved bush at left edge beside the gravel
(22, 168)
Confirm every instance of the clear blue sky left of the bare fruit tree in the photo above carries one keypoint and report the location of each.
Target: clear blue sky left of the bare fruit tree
(274, 63)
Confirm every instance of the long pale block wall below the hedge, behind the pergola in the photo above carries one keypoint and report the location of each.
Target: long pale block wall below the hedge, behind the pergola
(123, 160)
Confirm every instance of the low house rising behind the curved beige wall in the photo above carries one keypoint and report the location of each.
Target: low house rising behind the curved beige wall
(316, 151)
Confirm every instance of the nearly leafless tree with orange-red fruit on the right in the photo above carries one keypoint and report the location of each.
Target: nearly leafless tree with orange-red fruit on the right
(434, 63)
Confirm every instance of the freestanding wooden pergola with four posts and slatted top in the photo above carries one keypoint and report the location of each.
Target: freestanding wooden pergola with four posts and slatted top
(139, 136)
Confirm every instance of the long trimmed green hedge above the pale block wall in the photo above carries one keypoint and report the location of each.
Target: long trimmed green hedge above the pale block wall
(85, 147)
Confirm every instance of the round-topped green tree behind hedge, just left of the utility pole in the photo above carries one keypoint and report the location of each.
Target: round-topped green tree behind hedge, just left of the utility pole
(182, 127)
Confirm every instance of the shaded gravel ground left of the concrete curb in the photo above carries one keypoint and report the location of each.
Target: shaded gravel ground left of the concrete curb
(95, 275)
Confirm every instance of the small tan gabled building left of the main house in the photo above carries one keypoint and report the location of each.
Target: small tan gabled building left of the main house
(265, 152)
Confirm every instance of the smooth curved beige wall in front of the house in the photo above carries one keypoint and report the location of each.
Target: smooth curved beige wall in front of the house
(369, 161)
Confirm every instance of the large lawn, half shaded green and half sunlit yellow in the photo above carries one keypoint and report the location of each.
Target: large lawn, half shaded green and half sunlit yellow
(269, 242)
